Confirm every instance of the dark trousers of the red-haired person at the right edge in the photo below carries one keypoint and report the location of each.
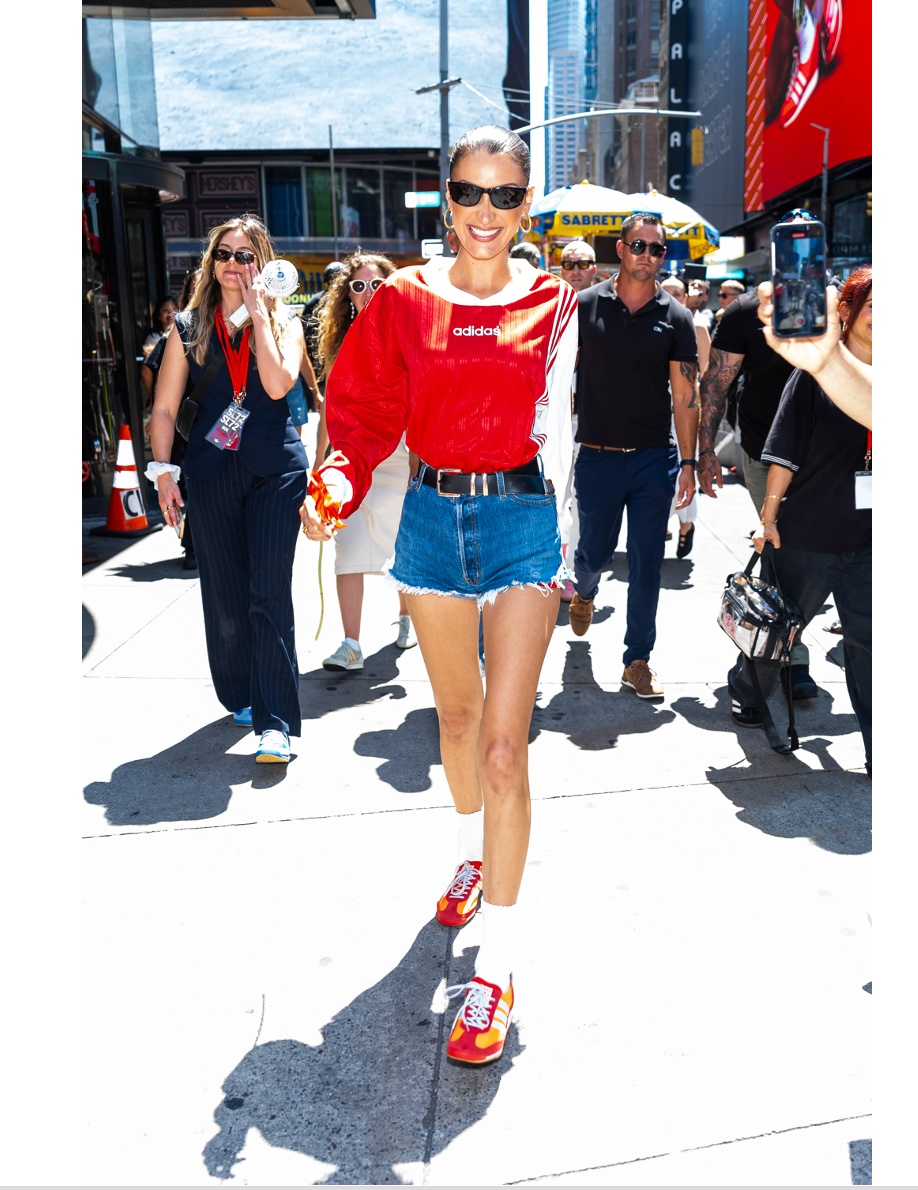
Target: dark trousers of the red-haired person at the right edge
(810, 578)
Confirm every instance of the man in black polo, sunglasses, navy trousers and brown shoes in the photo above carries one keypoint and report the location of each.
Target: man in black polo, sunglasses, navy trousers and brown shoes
(635, 345)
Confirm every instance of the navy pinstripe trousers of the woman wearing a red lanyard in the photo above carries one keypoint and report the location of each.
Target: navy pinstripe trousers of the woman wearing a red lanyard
(246, 531)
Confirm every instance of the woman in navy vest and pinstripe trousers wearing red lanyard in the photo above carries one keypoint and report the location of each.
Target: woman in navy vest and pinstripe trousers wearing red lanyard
(246, 469)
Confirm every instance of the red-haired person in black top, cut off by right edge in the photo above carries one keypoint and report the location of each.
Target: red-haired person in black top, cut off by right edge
(817, 516)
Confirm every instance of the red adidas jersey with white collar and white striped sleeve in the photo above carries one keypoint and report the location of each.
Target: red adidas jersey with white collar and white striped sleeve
(476, 385)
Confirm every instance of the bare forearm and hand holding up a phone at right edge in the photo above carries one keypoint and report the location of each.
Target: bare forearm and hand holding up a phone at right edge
(845, 380)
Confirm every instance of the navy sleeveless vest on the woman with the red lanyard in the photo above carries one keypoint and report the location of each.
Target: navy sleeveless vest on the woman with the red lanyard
(270, 443)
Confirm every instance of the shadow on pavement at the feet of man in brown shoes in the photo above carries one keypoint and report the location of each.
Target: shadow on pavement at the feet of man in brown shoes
(594, 718)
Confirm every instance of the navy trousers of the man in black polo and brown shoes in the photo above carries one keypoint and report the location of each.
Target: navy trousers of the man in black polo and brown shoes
(608, 483)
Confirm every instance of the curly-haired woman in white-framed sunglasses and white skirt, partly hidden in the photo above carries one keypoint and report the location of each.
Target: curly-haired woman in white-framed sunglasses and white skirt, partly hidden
(369, 542)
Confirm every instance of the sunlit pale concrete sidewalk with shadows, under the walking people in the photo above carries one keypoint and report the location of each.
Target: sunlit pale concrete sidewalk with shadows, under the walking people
(261, 949)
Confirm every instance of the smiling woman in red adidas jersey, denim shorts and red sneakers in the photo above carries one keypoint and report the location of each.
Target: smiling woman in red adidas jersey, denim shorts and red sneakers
(474, 360)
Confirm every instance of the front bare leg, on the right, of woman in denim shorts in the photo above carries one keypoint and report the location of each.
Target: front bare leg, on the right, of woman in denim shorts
(517, 632)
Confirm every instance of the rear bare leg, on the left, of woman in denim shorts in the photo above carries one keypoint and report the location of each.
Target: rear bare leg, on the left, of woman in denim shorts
(448, 635)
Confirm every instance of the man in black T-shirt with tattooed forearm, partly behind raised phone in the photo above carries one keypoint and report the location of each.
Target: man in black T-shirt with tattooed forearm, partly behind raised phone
(739, 343)
